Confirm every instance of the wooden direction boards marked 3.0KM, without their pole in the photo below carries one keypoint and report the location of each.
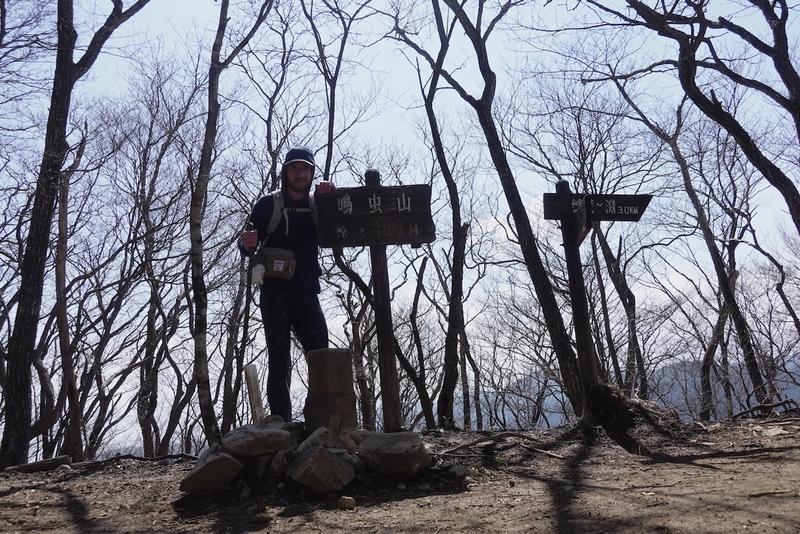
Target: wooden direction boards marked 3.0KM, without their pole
(600, 207)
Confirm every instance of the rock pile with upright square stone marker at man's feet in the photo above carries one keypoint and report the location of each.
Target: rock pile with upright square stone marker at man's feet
(324, 454)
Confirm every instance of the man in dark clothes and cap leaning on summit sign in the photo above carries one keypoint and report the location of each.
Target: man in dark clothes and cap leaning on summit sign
(284, 241)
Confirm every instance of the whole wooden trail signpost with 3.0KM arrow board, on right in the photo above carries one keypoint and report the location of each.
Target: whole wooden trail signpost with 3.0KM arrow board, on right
(577, 213)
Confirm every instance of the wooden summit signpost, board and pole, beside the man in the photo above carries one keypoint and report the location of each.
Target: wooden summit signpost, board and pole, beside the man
(377, 216)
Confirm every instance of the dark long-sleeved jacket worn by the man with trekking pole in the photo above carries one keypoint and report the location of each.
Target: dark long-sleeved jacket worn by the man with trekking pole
(301, 238)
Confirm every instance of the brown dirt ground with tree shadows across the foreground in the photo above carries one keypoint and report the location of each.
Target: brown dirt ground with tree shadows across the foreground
(733, 477)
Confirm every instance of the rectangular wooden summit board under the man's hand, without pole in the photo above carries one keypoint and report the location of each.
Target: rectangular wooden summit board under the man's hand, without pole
(375, 215)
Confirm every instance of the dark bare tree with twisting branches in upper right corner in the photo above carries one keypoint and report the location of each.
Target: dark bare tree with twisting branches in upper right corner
(699, 56)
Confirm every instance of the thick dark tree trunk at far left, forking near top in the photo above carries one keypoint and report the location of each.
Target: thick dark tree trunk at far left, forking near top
(15, 441)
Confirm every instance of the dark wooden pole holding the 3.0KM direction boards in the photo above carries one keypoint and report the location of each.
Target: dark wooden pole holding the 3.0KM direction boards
(587, 362)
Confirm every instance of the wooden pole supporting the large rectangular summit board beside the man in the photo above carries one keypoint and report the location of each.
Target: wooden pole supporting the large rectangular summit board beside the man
(390, 389)
